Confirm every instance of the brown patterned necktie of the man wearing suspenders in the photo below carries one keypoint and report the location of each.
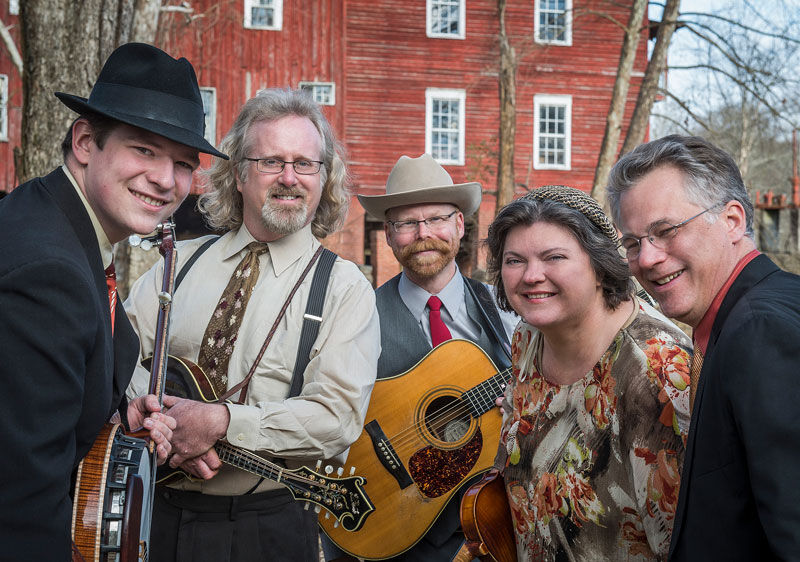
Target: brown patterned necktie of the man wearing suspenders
(223, 328)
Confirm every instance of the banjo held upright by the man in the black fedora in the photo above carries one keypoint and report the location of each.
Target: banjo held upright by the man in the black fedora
(115, 482)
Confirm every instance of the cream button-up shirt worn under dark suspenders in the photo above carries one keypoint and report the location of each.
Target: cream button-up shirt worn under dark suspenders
(328, 415)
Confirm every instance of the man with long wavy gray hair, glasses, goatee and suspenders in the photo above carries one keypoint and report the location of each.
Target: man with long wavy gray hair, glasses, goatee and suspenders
(284, 187)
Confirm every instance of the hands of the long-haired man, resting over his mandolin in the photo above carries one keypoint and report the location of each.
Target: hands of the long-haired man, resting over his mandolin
(199, 427)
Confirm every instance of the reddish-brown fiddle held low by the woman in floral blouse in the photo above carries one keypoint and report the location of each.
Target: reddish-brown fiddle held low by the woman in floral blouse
(486, 520)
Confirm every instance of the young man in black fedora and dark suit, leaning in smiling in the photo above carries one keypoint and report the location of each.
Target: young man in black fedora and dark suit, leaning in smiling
(67, 351)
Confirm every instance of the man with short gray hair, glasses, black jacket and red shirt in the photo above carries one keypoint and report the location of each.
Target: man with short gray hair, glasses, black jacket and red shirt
(687, 230)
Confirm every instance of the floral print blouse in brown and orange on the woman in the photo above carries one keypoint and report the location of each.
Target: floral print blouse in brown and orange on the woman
(593, 468)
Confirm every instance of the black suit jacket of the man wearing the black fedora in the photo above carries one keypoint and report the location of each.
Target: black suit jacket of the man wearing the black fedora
(61, 373)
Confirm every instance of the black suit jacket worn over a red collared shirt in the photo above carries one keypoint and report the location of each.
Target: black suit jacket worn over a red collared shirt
(740, 488)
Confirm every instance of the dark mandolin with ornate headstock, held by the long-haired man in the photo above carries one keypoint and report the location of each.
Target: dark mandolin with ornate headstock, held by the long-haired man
(342, 497)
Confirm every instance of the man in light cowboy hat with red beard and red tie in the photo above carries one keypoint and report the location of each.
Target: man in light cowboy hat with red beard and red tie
(430, 301)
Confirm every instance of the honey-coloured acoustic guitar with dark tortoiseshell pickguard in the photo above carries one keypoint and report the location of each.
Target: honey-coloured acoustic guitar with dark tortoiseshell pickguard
(428, 431)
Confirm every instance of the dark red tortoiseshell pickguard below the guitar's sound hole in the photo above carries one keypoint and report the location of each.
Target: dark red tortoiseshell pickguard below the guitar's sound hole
(437, 471)
